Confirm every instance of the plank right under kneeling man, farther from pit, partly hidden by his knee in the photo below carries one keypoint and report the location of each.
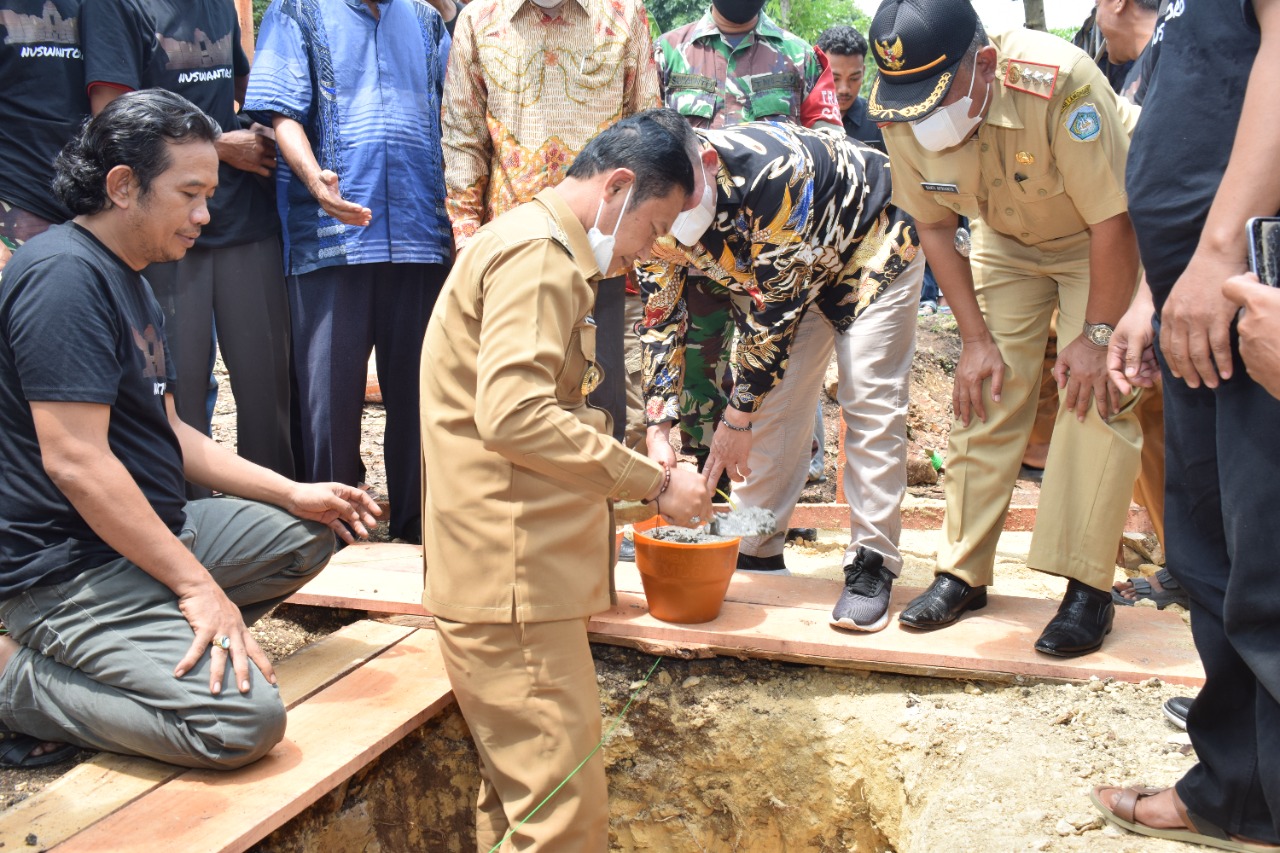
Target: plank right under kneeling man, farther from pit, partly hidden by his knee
(94, 790)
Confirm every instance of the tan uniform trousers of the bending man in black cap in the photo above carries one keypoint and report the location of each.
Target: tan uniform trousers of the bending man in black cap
(1091, 467)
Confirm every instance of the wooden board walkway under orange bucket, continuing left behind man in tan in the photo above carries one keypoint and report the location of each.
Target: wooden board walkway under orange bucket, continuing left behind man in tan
(787, 619)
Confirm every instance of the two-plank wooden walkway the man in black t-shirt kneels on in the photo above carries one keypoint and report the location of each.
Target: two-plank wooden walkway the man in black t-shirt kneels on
(388, 674)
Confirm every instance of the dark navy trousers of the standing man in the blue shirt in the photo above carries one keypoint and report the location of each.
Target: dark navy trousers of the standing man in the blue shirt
(340, 314)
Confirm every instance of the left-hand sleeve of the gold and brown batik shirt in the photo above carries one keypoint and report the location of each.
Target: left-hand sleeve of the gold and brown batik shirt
(465, 135)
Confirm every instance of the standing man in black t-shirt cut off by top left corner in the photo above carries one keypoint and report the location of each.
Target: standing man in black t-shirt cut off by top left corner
(42, 104)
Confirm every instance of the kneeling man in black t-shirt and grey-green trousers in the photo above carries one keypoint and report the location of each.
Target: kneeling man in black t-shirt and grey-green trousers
(112, 586)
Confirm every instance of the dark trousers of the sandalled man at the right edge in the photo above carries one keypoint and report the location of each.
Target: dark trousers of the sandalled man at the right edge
(1223, 494)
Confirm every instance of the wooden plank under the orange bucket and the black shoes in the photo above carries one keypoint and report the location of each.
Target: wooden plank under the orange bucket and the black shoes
(787, 619)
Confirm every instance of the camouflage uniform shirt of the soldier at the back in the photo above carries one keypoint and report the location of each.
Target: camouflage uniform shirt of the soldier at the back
(770, 75)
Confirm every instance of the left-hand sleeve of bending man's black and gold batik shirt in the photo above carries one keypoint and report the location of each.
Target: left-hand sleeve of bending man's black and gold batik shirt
(662, 339)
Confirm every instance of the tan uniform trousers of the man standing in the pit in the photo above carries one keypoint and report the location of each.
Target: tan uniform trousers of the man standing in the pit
(529, 695)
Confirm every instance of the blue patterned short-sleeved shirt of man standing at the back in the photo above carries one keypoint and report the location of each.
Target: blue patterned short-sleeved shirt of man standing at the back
(368, 92)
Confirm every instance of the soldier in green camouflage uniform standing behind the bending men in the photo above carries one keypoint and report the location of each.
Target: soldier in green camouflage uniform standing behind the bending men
(733, 66)
